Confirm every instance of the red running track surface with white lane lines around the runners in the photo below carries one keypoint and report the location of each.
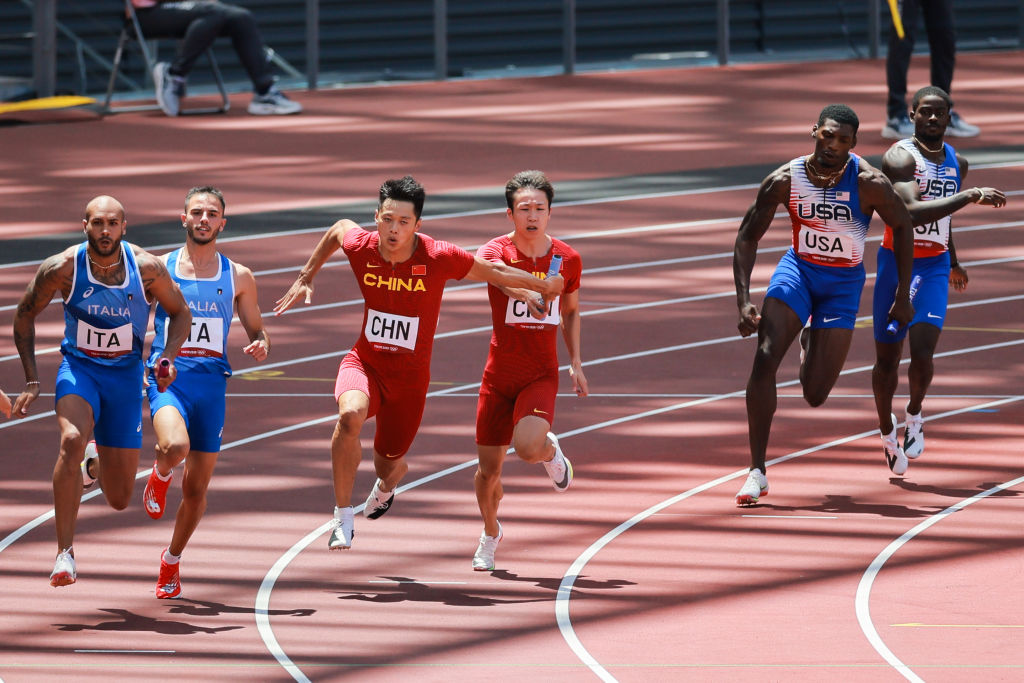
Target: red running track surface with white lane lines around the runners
(645, 570)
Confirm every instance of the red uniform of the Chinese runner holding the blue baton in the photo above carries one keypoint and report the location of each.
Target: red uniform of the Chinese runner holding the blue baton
(522, 375)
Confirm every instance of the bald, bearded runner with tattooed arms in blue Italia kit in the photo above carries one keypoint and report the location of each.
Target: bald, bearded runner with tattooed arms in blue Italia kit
(107, 286)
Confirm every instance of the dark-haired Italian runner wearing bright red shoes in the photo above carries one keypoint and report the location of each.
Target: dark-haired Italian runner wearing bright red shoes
(189, 418)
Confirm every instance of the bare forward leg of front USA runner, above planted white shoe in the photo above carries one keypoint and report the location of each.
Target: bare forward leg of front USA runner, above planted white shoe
(779, 327)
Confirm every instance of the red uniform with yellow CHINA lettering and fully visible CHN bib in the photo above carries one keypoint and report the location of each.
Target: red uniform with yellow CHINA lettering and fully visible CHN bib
(391, 363)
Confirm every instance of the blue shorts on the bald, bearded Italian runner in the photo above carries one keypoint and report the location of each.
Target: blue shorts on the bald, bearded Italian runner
(114, 394)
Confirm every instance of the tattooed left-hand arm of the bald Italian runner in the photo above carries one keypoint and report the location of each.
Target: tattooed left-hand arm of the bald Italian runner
(54, 275)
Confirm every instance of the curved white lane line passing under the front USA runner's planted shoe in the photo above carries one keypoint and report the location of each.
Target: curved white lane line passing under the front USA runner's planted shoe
(576, 570)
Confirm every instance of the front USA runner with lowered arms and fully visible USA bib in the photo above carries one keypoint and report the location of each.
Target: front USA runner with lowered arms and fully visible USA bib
(831, 196)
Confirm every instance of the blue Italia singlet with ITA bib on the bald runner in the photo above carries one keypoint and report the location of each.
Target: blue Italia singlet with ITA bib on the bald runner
(106, 324)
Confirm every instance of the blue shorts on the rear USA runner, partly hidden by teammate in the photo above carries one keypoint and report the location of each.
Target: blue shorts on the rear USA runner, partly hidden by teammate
(930, 303)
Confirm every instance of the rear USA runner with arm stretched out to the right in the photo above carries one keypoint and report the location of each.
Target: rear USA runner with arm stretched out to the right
(929, 176)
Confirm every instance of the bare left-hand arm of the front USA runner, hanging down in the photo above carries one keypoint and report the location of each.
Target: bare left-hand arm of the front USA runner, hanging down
(775, 191)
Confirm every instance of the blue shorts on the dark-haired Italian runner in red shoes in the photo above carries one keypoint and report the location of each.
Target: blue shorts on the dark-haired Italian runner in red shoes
(199, 399)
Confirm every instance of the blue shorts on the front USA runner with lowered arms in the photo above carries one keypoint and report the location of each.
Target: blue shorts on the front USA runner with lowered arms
(829, 295)
